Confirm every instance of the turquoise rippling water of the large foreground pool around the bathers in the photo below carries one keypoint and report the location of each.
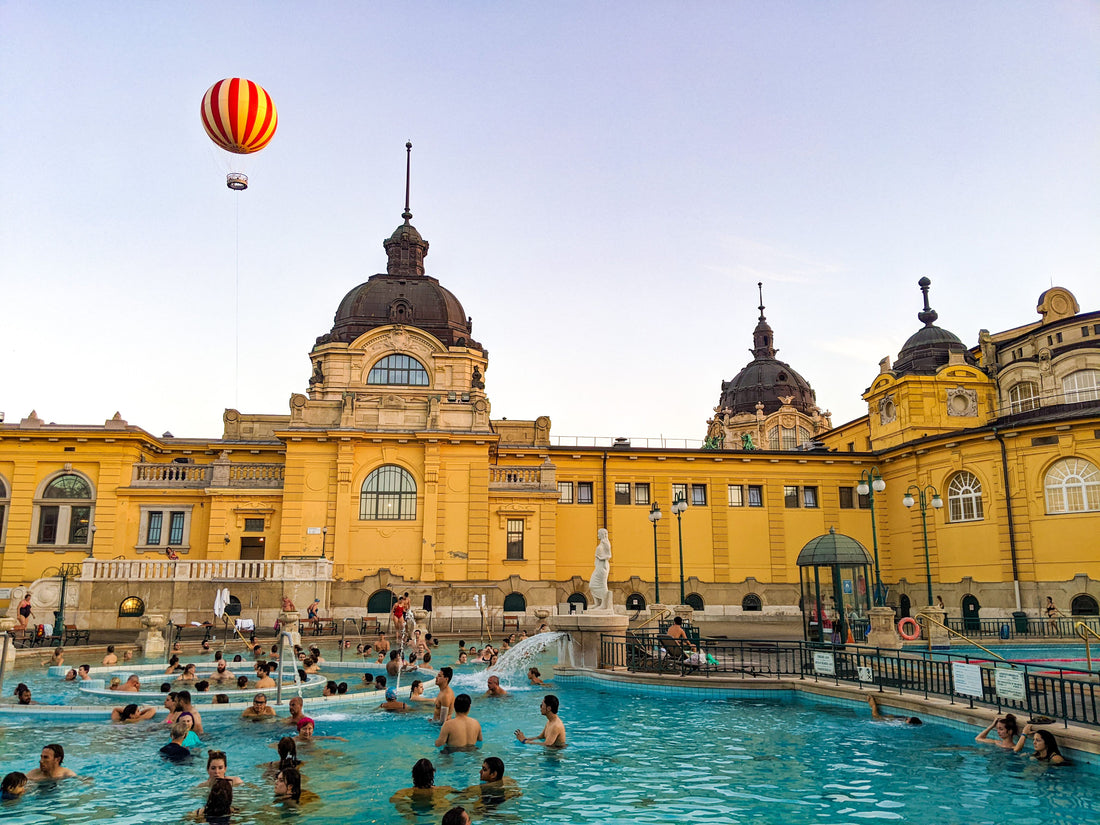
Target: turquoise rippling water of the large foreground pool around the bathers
(632, 760)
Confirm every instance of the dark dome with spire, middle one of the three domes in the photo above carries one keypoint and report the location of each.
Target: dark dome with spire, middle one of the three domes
(766, 380)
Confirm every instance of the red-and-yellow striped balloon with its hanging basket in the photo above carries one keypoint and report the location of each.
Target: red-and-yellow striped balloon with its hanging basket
(240, 117)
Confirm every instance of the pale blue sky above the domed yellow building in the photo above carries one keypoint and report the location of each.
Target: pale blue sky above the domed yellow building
(602, 186)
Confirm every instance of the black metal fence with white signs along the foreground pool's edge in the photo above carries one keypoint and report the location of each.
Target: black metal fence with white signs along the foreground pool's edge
(1072, 695)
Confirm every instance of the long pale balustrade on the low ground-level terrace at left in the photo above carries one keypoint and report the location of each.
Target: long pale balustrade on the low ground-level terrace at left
(136, 570)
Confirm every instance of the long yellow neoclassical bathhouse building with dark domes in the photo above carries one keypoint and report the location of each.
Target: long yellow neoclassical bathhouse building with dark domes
(390, 475)
